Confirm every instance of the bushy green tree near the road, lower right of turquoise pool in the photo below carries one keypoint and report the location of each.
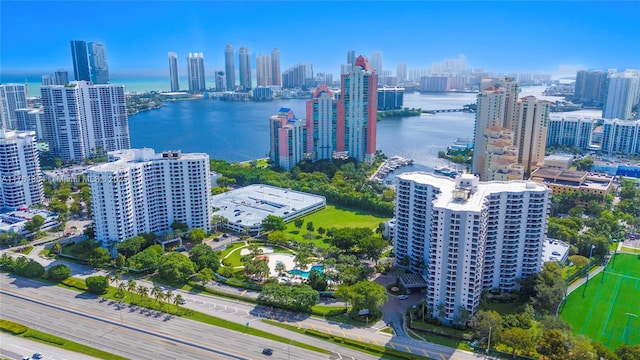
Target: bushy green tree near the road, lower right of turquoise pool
(362, 295)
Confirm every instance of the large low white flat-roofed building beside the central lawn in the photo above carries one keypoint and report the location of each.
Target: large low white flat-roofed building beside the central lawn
(248, 206)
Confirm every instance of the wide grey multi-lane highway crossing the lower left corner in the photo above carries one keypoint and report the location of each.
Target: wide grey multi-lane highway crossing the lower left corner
(130, 332)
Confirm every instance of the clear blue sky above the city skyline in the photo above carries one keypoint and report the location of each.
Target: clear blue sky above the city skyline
(497, 36)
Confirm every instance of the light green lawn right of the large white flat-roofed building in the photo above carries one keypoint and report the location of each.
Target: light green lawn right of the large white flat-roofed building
(332, 216)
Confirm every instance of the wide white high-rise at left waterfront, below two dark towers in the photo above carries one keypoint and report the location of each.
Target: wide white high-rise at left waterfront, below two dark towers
(82, 120)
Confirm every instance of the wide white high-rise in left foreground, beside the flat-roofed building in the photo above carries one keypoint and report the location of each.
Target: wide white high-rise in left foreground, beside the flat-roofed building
(139, 191)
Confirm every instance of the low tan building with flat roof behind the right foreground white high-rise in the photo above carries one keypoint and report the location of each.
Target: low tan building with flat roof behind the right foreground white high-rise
(563, 180)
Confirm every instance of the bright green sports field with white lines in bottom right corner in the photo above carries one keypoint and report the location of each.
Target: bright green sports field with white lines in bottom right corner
(598, 309)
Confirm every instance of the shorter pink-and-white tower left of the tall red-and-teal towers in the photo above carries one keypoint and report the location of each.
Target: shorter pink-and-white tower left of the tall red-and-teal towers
(288, 137)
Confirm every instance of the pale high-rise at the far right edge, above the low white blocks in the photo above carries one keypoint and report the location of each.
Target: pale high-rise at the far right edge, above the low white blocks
(623, 93)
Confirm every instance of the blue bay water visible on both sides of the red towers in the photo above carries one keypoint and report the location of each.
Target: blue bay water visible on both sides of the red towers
(239, 131)
